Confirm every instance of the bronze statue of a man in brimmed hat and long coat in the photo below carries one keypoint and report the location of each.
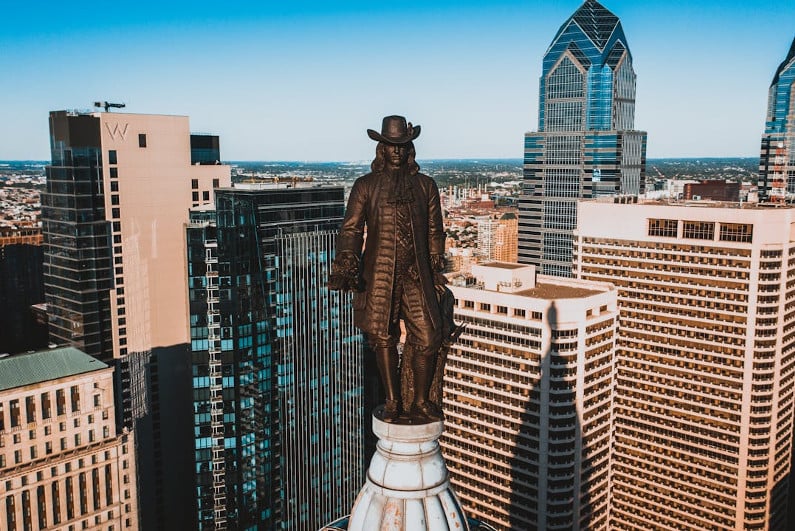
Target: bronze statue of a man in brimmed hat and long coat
(390, 253)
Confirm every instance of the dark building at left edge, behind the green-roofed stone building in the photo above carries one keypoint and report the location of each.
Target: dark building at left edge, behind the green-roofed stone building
(21, 286)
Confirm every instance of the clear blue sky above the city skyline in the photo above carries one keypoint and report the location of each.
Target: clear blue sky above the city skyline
(302, 80)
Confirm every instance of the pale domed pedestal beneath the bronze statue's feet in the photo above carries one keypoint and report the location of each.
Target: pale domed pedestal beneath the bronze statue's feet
(407, 486)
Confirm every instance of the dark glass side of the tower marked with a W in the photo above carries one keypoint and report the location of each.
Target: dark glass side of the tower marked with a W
(77, 260)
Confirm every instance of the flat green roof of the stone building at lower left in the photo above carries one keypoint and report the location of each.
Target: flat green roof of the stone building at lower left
(45, 365)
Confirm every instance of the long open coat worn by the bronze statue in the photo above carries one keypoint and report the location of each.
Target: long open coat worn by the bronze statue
(370, 205)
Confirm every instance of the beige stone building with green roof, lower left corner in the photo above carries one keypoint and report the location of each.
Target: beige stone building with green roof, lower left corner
(62, 462)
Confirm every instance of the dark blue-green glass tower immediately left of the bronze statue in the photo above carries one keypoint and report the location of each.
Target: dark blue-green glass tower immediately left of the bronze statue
(277, 369)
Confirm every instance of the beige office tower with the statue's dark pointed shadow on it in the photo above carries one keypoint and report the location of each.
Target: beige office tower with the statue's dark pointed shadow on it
(527, 399)
